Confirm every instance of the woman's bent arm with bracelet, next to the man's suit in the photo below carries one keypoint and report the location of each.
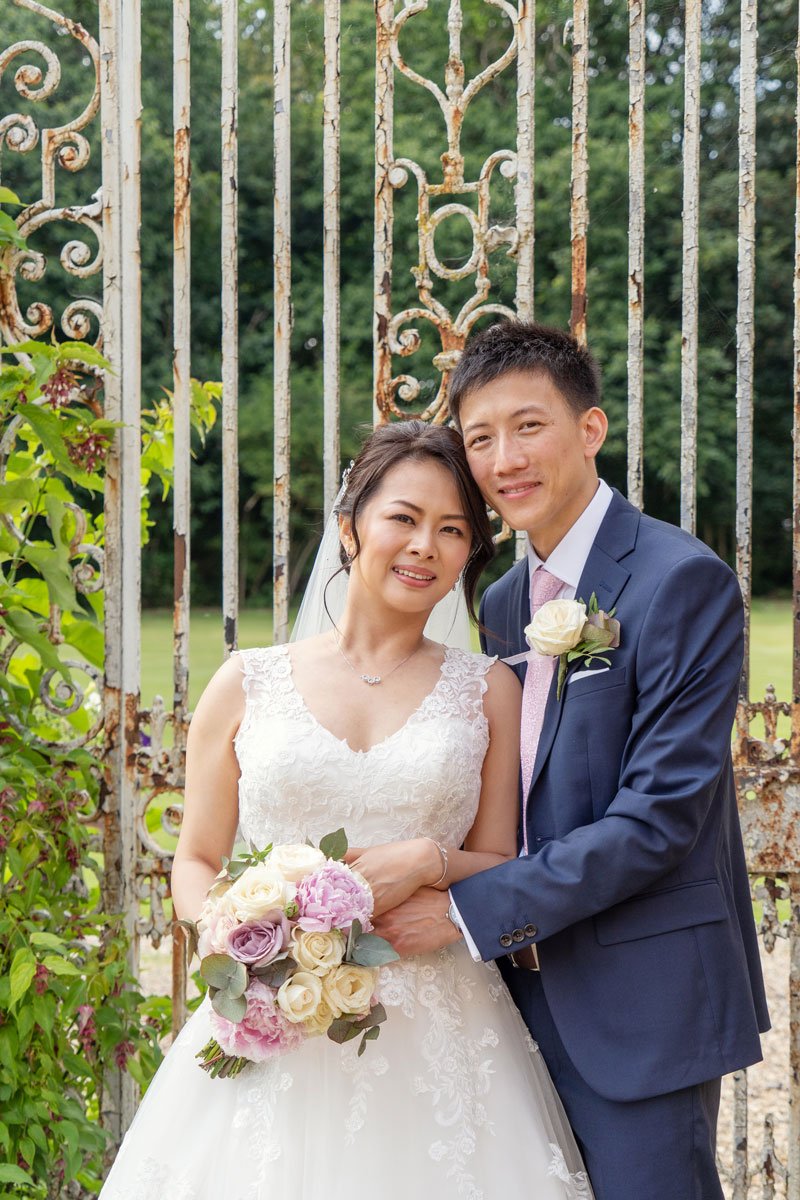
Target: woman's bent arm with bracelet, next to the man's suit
(398, 869)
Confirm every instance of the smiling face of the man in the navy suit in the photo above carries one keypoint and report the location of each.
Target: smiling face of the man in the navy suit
(532, 455)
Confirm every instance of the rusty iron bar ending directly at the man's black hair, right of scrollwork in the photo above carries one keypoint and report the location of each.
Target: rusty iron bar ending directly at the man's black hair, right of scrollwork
(580, 182)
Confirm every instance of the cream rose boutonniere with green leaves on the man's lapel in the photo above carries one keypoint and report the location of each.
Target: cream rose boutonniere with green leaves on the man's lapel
(570, 631)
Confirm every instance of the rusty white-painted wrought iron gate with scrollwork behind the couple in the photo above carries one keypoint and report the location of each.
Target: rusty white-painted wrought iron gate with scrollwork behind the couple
(139, 771)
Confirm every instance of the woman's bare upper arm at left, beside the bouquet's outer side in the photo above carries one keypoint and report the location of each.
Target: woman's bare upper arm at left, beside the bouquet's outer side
(212, 802)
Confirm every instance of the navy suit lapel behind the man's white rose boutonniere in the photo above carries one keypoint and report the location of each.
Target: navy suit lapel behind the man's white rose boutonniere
(604, 575)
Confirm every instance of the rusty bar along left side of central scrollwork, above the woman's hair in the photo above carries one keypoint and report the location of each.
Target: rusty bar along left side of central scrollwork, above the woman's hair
(384, 211)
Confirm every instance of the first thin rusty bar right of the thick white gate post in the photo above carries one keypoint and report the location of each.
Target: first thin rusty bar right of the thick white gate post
(182, 421)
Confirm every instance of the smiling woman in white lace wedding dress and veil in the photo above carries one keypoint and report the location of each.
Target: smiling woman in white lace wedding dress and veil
(411, 746)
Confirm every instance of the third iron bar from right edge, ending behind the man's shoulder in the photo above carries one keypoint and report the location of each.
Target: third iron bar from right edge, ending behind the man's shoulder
(693, 55)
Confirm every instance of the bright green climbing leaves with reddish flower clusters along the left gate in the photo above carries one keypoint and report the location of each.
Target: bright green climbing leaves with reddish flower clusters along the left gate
(69, 1010)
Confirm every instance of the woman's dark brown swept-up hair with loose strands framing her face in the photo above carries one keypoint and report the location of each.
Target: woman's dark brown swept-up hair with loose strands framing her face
(418, 442)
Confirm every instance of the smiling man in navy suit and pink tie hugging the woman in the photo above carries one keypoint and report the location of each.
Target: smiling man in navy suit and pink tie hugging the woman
(625, 928)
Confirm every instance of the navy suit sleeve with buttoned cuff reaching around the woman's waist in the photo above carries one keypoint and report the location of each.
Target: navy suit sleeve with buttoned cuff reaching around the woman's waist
(688, 668)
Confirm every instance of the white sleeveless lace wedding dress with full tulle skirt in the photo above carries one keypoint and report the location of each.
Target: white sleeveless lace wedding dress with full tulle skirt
(454, 1100)
